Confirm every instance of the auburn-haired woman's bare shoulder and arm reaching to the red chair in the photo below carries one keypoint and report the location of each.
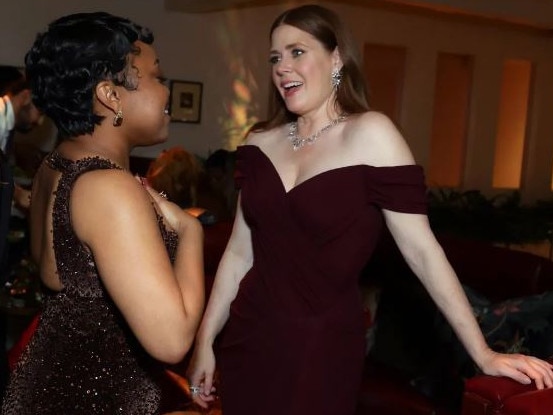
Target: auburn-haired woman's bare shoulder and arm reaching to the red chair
(426, 258)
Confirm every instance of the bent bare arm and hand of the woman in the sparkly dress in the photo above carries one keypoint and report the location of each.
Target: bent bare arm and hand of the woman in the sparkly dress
(114, 217)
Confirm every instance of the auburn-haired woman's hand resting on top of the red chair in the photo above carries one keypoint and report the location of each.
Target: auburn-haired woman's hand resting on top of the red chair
(519, 367)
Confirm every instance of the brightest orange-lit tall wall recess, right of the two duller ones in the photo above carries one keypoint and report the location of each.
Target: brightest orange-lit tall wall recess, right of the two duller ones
(511, 126)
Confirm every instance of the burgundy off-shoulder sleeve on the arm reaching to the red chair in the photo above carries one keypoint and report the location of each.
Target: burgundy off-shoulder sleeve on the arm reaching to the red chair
(399, 188)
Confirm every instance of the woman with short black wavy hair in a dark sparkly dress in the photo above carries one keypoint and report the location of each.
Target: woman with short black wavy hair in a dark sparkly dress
(122, 266)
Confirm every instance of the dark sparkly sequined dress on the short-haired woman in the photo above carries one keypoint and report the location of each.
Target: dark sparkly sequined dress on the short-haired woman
(82, 359)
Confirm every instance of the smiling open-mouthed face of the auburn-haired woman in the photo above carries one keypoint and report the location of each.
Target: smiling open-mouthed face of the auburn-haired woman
(301, 69)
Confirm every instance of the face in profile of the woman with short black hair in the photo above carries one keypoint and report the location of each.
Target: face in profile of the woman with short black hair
(145, 119)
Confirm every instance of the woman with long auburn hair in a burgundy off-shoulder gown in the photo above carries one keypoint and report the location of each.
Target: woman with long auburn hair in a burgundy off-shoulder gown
(318, 181)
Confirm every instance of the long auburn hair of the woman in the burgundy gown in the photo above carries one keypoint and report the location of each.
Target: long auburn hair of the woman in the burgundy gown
(327, 28)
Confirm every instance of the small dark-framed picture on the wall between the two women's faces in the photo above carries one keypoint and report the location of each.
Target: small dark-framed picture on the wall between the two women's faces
(185, 102)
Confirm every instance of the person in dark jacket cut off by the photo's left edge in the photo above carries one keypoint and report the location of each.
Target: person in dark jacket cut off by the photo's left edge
(17, 114)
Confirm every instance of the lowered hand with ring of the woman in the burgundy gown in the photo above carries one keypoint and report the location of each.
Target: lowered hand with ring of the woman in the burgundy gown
(200, 375)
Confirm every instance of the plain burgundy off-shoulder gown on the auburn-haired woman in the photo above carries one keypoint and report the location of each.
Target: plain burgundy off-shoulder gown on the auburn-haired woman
(294, 342)
